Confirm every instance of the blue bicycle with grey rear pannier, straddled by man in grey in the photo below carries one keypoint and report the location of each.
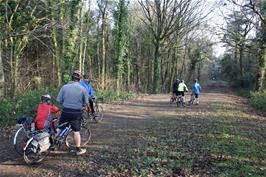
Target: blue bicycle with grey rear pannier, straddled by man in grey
(41, 144)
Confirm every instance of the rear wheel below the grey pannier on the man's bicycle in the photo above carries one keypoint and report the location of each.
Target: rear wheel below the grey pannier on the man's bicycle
(31, 155)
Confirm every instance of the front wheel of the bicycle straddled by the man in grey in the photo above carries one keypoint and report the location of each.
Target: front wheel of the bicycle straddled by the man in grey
(85, 135)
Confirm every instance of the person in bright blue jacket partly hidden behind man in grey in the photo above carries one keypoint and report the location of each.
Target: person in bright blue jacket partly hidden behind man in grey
(86, 83)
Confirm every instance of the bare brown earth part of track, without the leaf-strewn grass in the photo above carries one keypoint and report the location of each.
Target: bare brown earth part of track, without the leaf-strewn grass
(117, 132)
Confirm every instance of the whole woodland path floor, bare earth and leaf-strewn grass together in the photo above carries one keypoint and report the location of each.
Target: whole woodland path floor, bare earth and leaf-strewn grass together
(148, 136)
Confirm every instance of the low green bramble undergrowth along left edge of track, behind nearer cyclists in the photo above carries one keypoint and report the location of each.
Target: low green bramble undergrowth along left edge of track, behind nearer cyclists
(26, 103)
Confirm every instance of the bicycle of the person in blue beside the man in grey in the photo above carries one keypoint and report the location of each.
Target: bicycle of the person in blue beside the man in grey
(97, 116)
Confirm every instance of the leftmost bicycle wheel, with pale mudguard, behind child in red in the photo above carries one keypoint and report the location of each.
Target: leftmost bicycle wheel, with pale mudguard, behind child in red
(20, 139)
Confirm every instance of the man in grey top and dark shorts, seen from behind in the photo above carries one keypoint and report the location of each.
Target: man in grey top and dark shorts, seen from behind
(73, 98)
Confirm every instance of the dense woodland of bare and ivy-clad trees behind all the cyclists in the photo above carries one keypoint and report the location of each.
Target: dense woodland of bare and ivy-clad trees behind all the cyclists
(139, 45)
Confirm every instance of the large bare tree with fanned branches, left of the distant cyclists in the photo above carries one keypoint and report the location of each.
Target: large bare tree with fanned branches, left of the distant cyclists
(166, 17)
